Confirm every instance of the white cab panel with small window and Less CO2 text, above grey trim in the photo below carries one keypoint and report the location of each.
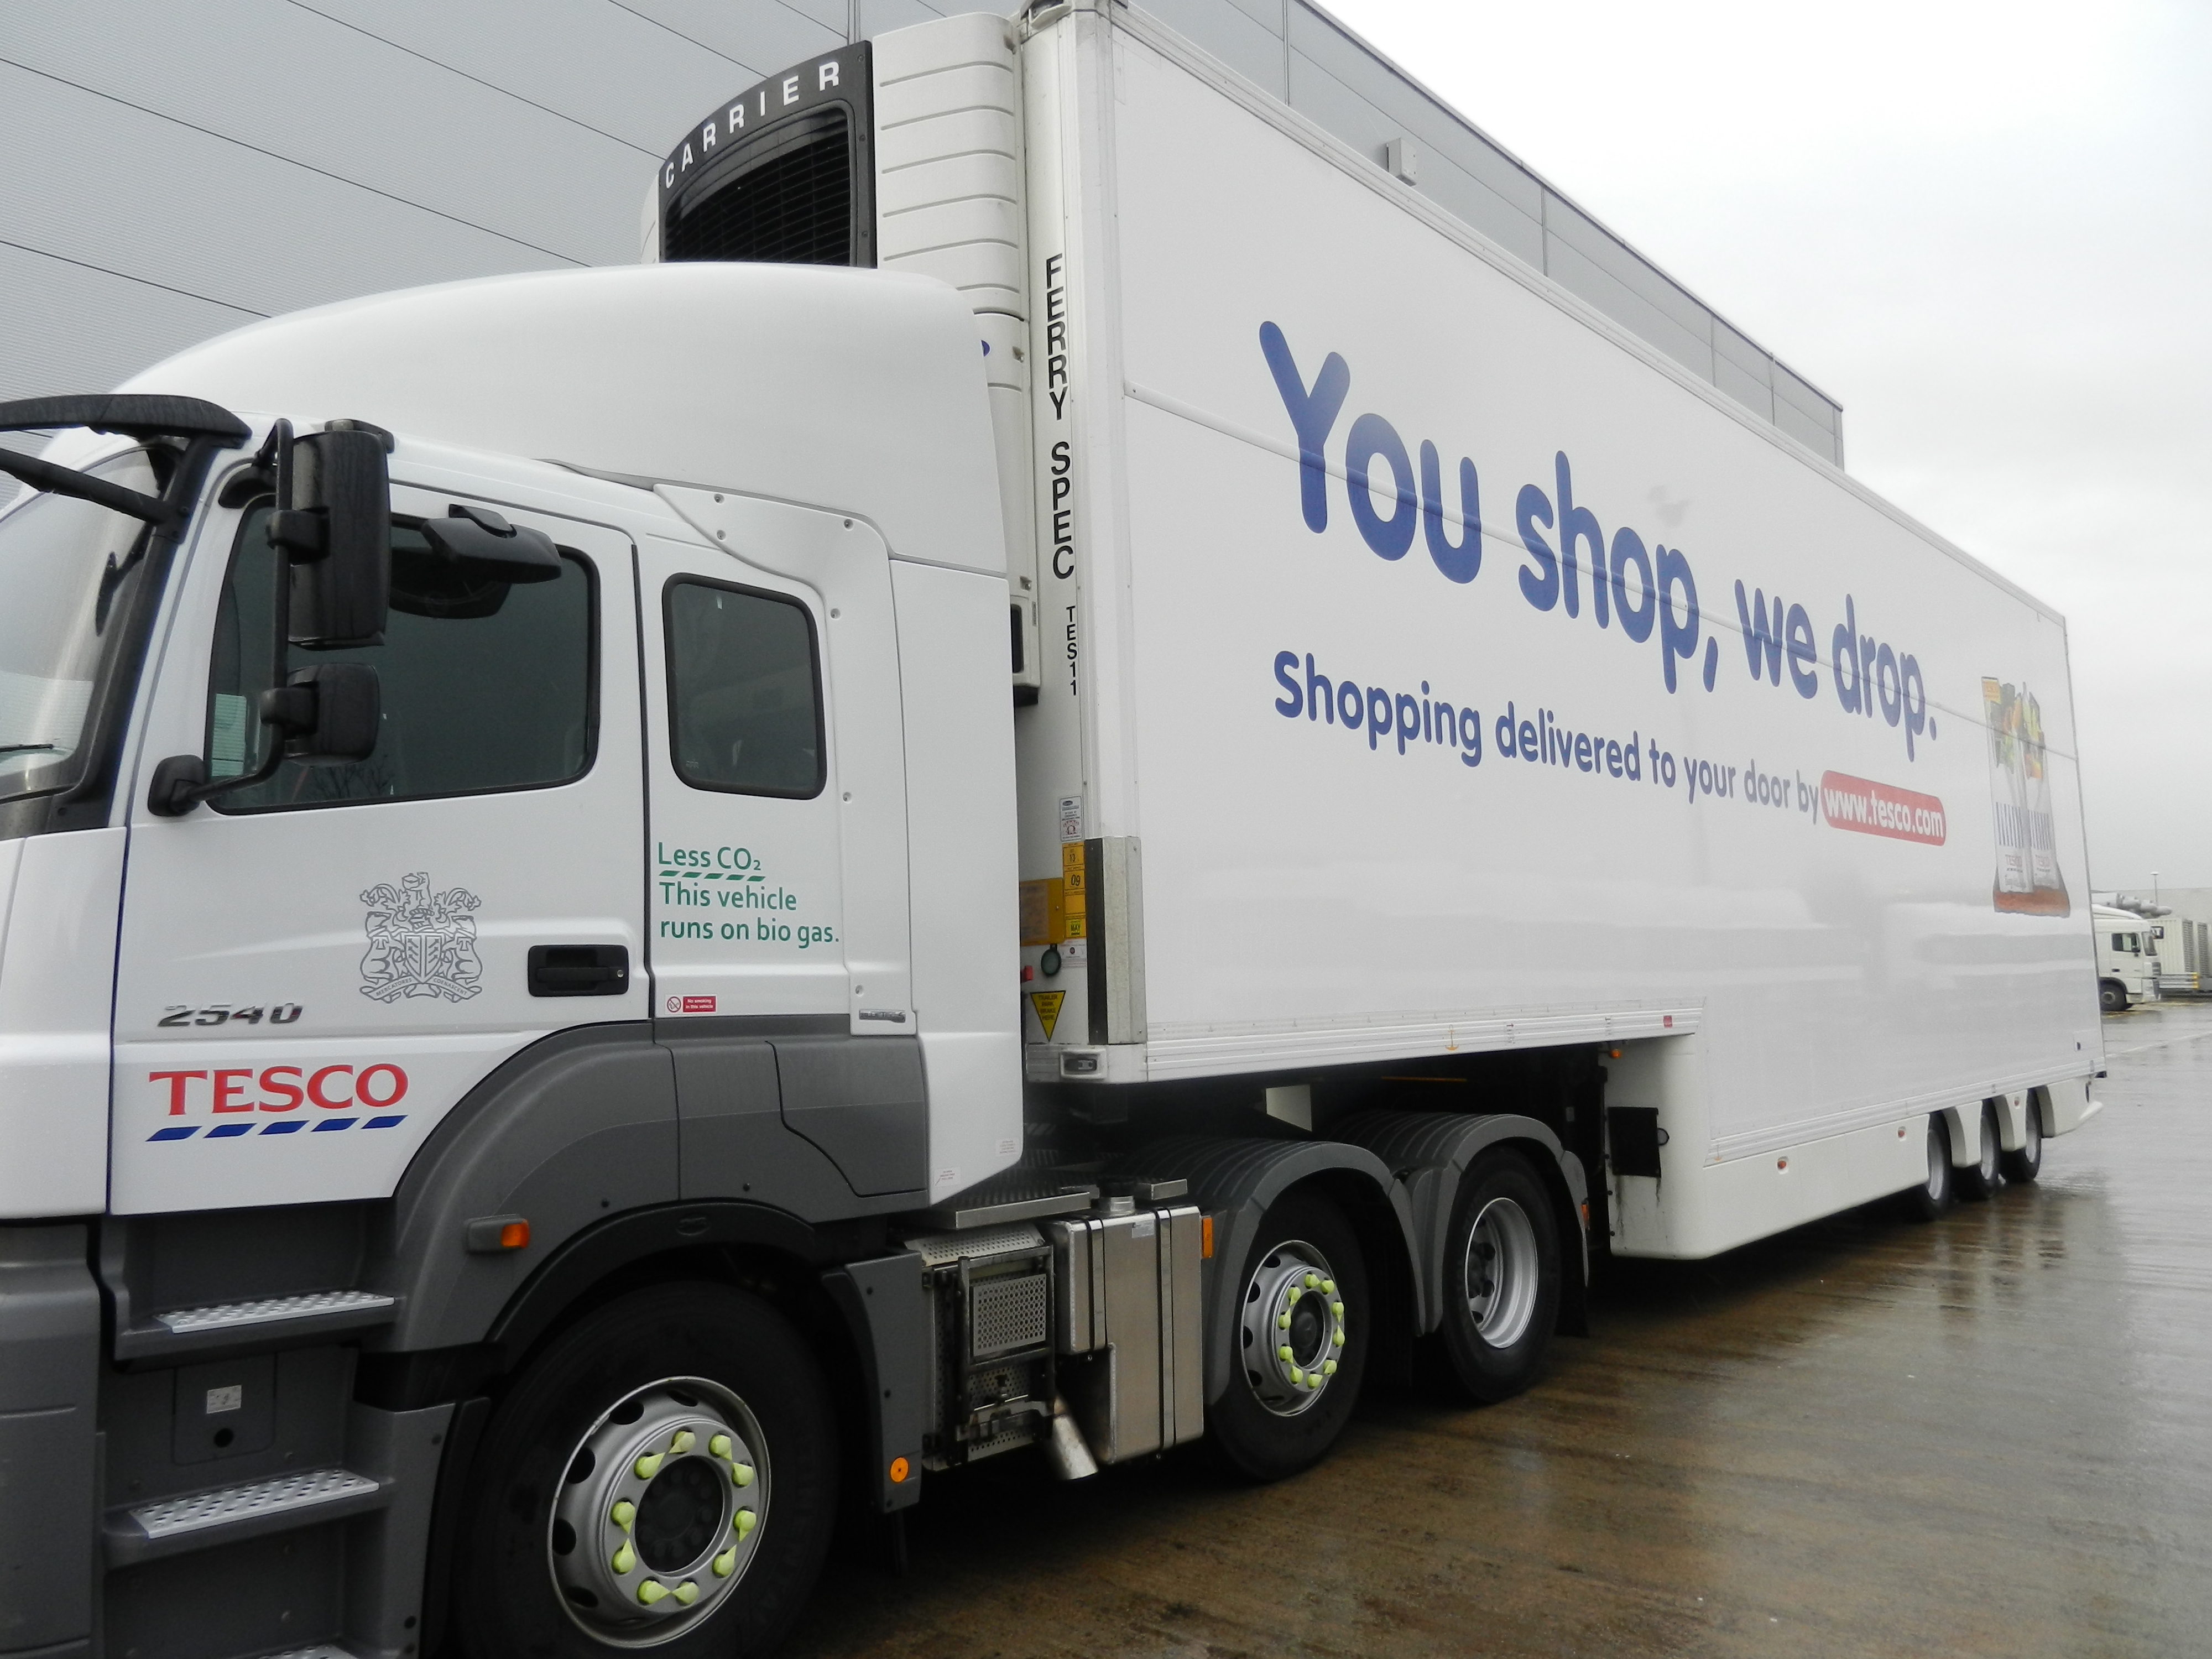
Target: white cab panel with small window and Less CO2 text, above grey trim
(778, 780)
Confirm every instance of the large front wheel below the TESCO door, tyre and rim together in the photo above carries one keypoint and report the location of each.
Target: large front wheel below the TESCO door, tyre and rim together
(660, 1477)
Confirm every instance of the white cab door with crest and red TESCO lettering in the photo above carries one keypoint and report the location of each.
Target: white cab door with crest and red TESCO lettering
(315, 970)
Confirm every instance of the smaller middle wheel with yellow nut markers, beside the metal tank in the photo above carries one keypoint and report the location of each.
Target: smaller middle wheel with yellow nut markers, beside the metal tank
(1304, 1333)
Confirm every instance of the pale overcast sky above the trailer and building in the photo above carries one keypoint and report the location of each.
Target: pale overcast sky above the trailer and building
(1987, 231)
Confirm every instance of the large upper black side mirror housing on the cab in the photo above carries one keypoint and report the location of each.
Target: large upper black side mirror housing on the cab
(333, 523)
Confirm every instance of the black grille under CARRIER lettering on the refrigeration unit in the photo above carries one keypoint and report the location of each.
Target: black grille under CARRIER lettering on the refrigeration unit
(789, 202)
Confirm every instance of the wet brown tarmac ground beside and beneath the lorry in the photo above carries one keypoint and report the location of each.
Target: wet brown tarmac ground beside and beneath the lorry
(1983, 1437)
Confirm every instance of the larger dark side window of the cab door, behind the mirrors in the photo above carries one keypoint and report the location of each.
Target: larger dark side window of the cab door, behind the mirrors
(486, 685)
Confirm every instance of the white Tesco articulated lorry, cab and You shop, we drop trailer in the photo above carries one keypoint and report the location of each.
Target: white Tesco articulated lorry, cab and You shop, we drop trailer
(1067, 780)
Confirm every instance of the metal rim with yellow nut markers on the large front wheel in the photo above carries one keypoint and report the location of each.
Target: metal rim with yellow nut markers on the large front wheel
(660, 1512)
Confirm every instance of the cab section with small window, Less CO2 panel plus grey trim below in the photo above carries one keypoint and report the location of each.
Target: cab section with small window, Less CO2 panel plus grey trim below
(778, 848)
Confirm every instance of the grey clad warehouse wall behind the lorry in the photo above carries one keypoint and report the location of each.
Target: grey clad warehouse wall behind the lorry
(180, 171)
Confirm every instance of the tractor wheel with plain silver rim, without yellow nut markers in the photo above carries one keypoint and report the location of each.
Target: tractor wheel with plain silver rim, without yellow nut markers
(1503, 1277)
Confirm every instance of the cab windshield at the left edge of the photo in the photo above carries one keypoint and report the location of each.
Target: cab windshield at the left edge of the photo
(63, 565)
